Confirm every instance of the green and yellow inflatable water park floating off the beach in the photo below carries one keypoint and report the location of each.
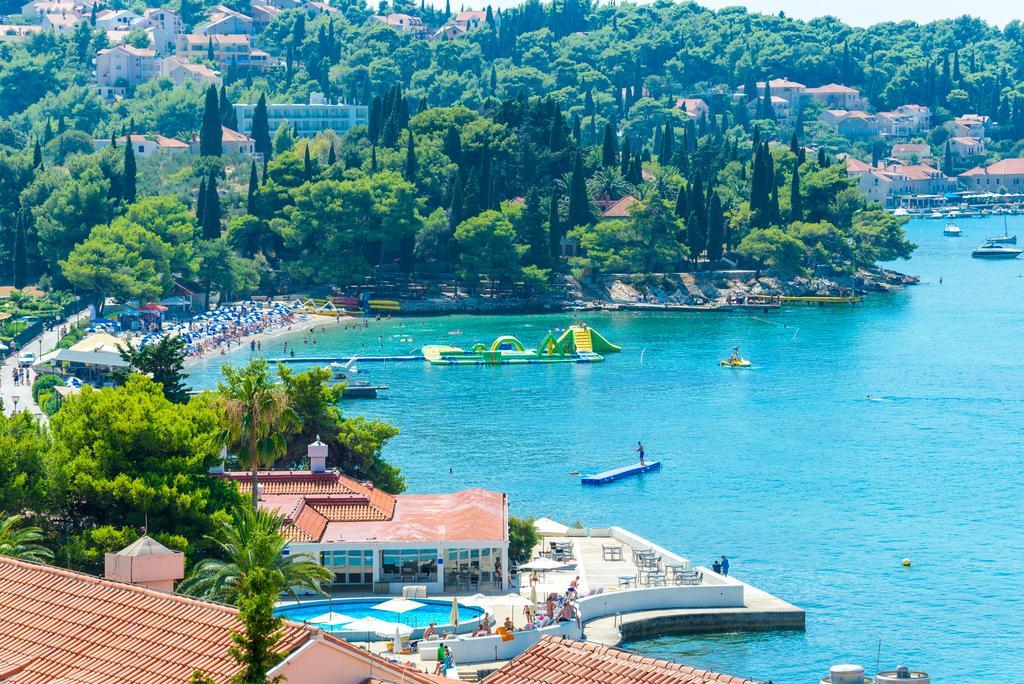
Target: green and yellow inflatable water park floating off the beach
(579, 345)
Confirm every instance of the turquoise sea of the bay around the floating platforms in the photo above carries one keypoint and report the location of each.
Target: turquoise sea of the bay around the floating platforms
(863, 436)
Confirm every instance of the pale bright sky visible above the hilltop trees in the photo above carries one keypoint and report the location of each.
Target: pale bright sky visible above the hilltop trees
(858, 13)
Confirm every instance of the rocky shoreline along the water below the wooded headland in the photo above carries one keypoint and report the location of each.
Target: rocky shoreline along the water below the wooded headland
(700, 291)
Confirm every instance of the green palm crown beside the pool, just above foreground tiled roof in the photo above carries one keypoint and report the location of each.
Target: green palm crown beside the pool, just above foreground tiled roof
(251, 543)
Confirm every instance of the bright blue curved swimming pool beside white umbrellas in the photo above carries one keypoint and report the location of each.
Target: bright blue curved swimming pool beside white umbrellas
(359, 609)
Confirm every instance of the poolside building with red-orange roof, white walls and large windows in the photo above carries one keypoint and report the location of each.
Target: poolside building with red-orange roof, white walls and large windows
(374, 541)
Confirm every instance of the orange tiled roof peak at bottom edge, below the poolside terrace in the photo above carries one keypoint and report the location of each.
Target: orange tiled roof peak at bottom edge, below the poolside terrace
(560, 661)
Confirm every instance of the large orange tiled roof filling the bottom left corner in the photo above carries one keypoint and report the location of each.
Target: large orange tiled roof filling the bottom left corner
(63, 626)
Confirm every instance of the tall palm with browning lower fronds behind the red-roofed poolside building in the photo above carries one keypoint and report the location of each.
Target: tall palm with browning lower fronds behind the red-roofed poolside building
(257, 417)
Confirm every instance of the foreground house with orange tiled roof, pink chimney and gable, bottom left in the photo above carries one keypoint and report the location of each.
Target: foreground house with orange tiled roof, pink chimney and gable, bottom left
(62, 626)
